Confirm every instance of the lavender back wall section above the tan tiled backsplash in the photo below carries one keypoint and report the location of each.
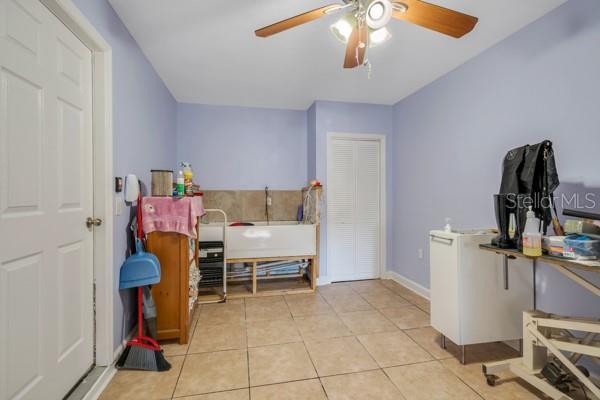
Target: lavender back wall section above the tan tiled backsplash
(243, 148)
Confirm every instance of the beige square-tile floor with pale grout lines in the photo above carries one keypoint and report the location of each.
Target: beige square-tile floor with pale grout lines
(367, 340)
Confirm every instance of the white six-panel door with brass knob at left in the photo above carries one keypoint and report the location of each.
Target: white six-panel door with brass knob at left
(46, 271)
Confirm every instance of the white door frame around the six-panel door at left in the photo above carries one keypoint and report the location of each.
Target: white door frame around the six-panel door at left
(102, 137)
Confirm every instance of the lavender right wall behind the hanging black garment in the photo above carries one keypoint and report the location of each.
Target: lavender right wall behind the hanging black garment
(450, 137)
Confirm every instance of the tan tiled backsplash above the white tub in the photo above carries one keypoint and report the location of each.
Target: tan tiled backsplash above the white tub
(249, 205)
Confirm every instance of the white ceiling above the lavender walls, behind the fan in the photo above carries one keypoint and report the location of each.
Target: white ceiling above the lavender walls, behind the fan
(206, 51)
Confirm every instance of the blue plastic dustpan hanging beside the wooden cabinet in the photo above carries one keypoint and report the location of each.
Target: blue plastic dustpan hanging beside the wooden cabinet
(140, 269)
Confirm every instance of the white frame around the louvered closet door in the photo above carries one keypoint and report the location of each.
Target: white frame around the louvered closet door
(373, 137)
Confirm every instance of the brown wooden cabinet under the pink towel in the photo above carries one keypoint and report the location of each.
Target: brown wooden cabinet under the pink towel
(171, 295)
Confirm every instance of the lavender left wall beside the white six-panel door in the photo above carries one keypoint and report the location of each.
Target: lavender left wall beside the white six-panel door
(144, 128)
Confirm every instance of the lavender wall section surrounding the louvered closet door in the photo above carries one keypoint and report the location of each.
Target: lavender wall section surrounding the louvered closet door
(350, 118)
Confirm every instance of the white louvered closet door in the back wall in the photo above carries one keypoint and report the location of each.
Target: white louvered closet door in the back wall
(354, 208)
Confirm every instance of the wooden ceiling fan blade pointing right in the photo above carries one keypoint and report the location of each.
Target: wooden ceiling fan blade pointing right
(439, 19)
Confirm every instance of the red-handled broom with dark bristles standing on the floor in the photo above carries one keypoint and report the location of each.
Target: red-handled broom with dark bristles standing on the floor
(142, 352)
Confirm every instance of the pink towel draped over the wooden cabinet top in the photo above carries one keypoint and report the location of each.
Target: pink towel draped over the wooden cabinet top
(168, 214)
